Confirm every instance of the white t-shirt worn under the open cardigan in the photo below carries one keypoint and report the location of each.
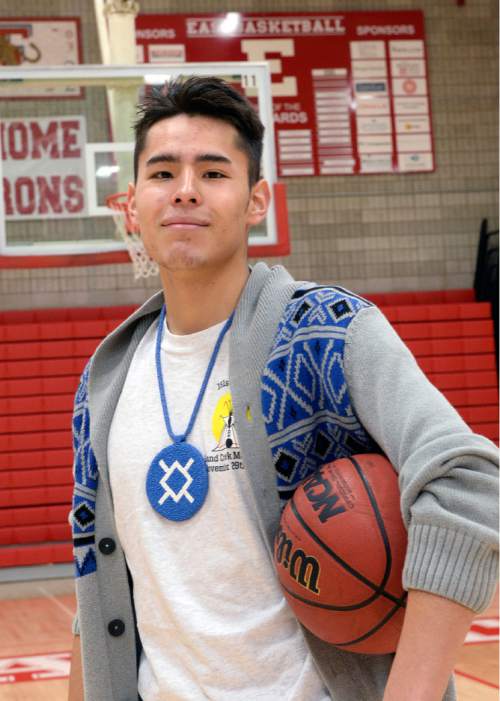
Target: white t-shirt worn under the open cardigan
(211, 616)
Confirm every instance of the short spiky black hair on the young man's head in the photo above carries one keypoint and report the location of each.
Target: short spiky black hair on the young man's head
(205, 96)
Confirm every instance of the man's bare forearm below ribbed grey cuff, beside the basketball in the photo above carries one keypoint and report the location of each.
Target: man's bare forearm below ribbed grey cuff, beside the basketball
(433, 632)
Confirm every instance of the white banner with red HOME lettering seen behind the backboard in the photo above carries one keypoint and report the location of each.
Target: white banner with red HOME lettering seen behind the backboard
(43, 167)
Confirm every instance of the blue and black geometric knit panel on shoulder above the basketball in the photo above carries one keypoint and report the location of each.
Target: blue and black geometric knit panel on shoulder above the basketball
(306, 406)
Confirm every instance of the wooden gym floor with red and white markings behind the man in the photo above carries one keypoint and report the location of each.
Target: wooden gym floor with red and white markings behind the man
(35, 620)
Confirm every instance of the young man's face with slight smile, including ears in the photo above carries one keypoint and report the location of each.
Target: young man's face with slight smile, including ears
(192, 202)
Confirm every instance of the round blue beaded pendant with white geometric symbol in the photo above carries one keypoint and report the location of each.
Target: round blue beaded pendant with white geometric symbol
(177, 482)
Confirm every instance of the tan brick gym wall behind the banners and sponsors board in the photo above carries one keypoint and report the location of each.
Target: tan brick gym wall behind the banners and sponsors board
(368, 233)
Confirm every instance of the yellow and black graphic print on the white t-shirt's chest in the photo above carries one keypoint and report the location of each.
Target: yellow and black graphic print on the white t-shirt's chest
(226, 455)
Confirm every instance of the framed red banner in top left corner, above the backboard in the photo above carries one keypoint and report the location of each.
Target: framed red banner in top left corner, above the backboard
(40, 41)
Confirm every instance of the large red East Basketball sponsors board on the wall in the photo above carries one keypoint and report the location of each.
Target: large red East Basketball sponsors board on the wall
(350, 90)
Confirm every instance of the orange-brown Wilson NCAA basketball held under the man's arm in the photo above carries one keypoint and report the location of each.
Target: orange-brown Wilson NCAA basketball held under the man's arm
(339, 554)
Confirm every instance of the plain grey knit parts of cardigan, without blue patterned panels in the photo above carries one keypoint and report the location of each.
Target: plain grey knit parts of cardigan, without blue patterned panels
(447, 479)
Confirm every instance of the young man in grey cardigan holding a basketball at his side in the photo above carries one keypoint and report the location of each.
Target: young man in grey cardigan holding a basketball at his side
(194, 425)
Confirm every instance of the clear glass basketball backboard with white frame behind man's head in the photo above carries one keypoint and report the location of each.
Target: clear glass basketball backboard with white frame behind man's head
(67, 144)
